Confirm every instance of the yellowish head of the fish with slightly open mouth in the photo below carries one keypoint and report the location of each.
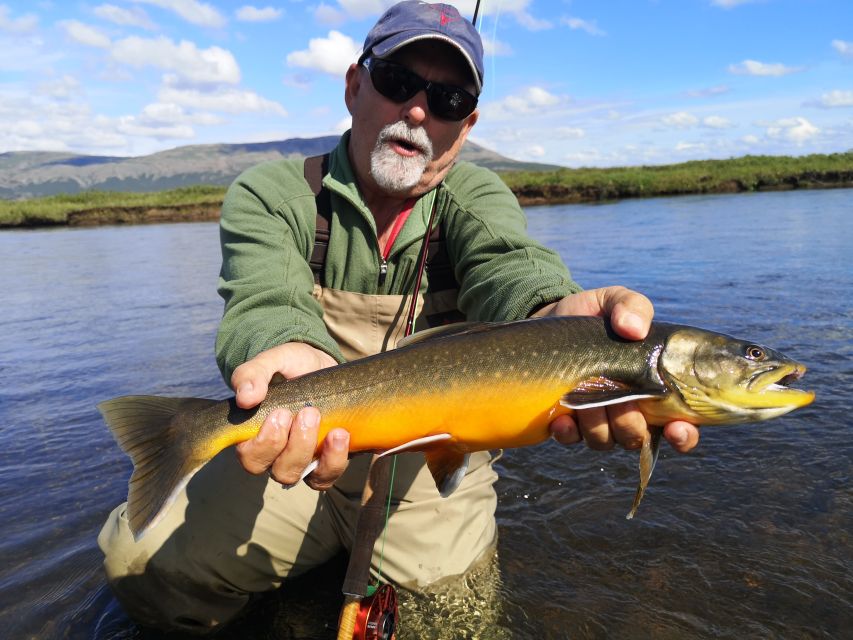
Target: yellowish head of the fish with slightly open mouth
(722, 380)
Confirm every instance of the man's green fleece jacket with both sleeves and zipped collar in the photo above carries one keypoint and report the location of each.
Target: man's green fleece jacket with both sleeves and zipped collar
(267, 234)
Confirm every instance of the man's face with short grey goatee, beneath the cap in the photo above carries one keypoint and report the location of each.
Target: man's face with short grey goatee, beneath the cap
(390, 142)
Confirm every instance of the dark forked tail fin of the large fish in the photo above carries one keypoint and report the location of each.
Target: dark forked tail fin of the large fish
(146, 429)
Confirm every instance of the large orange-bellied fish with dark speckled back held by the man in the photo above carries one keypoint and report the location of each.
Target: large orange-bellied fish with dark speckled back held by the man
(465, 388)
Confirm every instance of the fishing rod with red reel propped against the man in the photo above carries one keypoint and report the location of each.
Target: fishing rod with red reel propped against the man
(369, 611)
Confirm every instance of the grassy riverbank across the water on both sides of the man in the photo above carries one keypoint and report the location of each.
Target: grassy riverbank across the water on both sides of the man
(190, 204)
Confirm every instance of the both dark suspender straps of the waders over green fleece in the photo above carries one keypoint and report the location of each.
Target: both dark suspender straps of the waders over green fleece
(439, 270)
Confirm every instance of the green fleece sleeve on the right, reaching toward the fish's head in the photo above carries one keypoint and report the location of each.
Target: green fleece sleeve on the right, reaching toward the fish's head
(503, 273)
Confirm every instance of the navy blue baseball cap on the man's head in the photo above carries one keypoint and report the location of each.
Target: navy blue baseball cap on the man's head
(412, 20)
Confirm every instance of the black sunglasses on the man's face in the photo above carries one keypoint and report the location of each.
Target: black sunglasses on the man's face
(398, 84)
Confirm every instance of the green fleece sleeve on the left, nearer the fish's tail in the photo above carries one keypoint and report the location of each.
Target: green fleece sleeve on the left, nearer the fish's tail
(265, 280)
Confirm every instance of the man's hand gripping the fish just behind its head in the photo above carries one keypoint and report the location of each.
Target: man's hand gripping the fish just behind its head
(630, 315)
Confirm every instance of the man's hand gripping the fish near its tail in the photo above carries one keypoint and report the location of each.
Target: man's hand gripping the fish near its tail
(285, 443)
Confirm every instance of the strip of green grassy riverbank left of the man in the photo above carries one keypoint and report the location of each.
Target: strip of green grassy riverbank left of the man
(54, 210)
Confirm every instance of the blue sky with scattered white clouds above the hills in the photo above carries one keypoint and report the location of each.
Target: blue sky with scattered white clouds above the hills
(570, 82)
